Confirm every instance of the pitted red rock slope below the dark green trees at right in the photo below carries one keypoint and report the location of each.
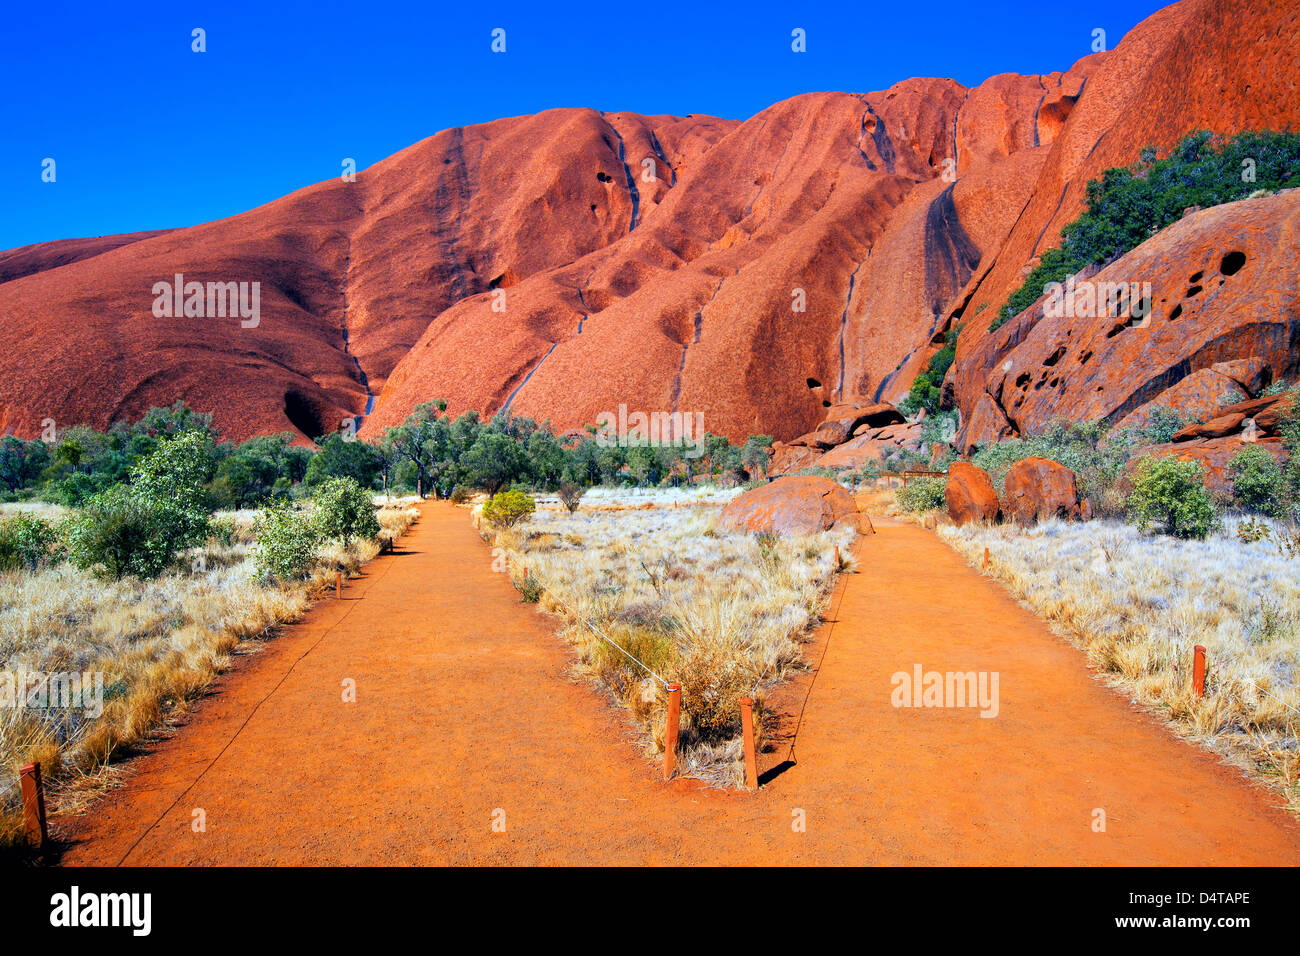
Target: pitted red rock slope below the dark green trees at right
(1225, 318)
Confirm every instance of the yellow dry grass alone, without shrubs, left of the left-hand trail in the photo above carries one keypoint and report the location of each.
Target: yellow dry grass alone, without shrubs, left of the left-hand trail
(158, 644)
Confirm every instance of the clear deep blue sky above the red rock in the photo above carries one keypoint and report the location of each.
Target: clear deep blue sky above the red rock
(146, 133)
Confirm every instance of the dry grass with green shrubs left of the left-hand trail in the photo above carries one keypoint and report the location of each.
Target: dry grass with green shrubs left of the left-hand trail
(158, 639)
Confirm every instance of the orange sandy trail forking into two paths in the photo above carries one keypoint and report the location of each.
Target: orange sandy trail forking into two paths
(465, 707)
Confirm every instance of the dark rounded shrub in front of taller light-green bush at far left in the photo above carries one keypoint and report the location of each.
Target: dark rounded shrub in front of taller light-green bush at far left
(122, 533)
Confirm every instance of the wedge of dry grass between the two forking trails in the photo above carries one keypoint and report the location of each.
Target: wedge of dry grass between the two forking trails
(723, 615)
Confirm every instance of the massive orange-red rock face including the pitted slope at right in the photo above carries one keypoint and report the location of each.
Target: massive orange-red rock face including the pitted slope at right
(760, 274)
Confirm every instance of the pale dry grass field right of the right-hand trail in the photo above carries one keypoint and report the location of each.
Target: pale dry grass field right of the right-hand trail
(1138, 604)
